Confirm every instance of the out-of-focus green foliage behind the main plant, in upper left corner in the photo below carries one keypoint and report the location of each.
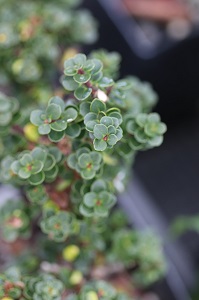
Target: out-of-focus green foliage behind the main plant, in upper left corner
(33, 37)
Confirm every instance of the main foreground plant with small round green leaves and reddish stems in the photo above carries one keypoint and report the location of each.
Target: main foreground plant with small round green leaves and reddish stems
(69, 162)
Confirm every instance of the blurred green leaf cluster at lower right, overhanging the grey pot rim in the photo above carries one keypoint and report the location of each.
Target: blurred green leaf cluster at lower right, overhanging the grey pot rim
(140, 249)
